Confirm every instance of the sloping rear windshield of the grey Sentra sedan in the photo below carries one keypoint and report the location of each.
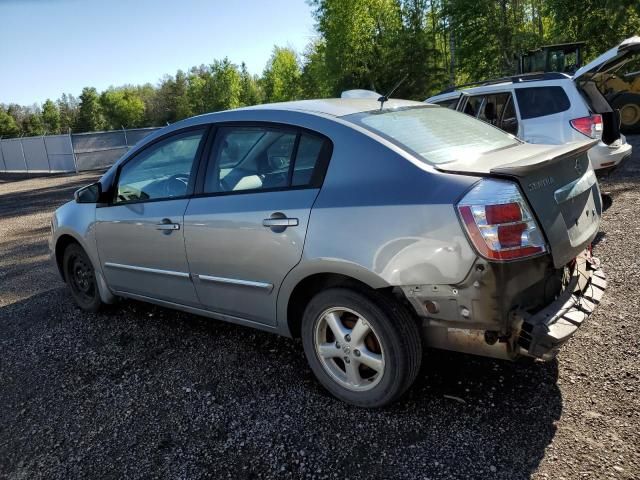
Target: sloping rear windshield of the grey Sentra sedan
(436, 135)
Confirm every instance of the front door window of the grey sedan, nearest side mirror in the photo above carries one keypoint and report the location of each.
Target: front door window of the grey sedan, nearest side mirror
(162, 171)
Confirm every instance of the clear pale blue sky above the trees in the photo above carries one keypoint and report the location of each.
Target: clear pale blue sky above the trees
(51, 47)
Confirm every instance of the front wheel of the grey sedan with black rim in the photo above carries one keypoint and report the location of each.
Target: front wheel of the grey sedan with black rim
(81, 278)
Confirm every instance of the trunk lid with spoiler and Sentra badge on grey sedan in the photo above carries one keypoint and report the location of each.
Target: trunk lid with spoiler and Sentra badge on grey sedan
(559, 184)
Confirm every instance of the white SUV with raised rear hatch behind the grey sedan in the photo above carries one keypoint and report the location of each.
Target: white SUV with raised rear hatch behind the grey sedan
(552, 108)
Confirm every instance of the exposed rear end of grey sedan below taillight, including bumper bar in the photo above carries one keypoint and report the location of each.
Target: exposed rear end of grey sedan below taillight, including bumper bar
(491, 312)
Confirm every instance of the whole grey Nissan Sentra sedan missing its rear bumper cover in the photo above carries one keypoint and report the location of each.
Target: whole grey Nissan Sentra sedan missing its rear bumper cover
(367, 228)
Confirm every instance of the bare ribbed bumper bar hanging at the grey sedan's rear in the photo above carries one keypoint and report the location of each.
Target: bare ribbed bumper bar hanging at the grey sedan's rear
(543, 333)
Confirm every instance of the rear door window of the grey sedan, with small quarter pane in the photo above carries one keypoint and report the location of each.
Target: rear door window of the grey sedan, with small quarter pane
(262, 158)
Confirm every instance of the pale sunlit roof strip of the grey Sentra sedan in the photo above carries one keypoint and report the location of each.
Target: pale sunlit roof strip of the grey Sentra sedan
(337, 107)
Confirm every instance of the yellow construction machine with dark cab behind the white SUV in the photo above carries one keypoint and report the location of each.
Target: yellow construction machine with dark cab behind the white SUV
(616, 73)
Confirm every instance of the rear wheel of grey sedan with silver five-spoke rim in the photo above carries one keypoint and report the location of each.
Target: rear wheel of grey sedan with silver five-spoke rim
(396, 337)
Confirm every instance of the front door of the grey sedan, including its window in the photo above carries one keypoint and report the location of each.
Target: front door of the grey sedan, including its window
(140, 235)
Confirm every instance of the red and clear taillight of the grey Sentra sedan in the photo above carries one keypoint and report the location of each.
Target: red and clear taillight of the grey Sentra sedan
(499, 222)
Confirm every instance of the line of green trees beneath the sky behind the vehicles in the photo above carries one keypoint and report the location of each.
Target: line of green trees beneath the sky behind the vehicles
(359, 44)
